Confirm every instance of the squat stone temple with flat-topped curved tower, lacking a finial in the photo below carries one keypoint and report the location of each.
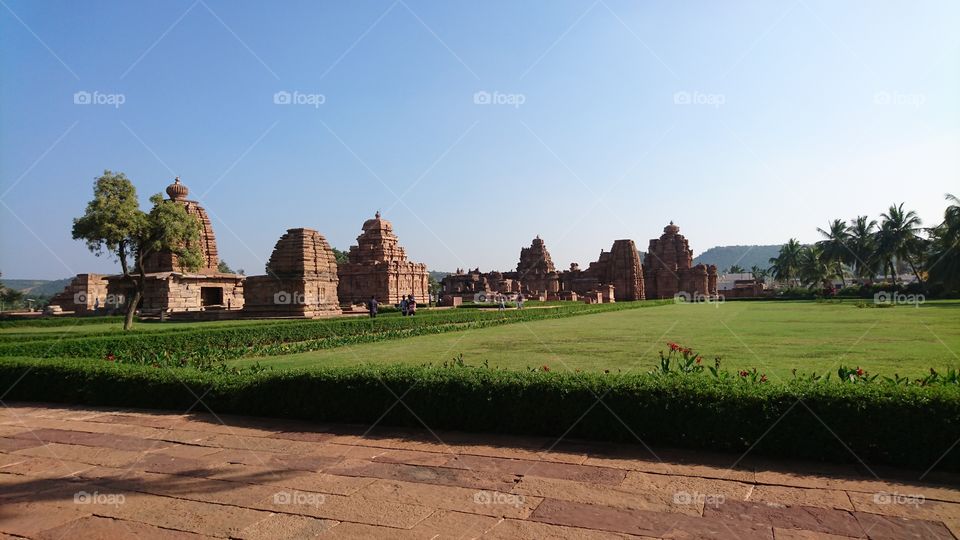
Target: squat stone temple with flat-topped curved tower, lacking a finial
(301, 279)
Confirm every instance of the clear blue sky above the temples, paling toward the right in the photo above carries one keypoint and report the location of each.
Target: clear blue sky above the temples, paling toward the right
(474, 126)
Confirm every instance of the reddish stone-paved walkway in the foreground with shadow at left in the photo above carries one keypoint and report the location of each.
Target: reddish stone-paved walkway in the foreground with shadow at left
(68, 472)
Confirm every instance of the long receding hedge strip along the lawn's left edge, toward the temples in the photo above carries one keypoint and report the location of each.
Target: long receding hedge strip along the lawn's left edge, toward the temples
(225, 342)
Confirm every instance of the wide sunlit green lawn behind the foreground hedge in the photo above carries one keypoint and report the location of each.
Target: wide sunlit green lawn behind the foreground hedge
(774, 337)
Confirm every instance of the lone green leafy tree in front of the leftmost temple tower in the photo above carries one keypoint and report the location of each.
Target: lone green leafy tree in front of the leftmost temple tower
(114, 223)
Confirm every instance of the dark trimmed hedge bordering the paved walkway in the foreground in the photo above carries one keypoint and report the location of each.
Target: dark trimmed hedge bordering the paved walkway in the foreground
(913, 426)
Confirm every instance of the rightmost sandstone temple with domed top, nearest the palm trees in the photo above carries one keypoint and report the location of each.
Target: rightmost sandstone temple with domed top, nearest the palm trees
(668, 268)
